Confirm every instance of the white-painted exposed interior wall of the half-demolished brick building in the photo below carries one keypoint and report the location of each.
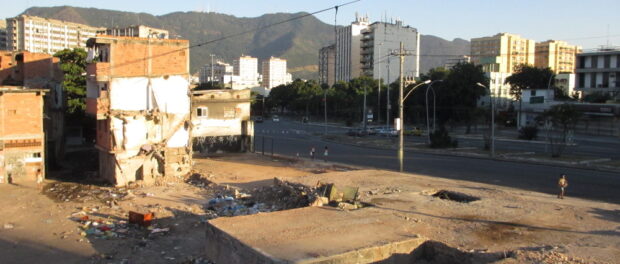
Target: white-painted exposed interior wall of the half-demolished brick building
(147, 129)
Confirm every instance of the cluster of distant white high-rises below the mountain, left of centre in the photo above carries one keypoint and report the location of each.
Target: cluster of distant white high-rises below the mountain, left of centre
(243, 74)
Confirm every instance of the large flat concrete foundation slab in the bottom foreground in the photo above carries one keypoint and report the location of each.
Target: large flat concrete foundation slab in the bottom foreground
(312, 235)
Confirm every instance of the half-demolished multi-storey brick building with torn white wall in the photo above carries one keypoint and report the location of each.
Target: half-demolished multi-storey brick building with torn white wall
(138, 91)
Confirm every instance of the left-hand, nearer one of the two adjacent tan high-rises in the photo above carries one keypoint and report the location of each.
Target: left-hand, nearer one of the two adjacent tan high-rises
(502, 52)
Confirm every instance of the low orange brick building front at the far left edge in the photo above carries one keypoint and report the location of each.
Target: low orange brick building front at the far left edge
(22, 138)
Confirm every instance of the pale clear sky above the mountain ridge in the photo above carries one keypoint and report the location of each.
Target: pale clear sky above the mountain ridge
(589, 24)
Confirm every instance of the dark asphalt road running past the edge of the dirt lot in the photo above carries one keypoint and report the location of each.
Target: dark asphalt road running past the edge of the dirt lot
(292, 138)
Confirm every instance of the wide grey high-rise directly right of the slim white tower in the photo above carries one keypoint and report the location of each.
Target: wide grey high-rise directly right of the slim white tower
(378, 40)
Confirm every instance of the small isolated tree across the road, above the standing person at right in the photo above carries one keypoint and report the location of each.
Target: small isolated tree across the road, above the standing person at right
(563, 117)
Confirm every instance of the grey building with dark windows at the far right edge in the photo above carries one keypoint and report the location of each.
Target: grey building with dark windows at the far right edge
(599, 71)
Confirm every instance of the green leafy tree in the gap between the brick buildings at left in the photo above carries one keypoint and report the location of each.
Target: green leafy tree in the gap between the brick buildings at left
(73, 65)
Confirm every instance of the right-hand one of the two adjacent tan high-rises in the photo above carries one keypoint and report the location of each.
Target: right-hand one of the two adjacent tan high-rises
(557, 55)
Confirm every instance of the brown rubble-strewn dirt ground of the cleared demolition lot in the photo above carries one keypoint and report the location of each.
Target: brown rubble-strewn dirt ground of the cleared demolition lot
(61, 224)
